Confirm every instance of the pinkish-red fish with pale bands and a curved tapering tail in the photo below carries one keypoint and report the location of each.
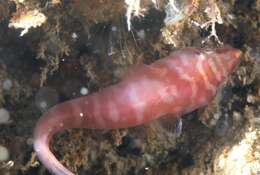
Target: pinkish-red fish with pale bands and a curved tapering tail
(185, 80)
